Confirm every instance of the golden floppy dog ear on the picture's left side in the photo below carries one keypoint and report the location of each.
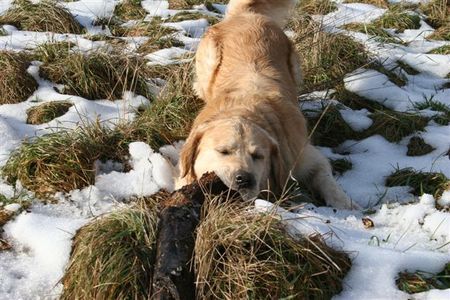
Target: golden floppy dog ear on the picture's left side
(188, 155)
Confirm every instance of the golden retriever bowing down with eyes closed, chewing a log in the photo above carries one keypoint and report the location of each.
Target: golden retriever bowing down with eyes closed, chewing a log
(251, 132)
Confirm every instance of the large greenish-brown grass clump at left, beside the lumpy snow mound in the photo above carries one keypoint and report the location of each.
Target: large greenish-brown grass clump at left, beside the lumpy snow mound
(63, 161)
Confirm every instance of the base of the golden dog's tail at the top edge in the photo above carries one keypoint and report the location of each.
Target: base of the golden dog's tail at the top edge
(277, 10)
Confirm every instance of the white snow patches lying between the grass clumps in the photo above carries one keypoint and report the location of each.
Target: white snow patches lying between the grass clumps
(405, 236)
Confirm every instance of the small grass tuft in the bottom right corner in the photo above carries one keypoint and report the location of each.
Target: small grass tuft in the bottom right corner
(420, 281)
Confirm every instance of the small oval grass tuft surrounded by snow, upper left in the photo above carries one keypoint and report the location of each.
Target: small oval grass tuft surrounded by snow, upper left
(46, 112)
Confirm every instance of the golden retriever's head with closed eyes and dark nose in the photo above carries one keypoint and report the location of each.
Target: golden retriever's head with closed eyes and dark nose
(241, 153)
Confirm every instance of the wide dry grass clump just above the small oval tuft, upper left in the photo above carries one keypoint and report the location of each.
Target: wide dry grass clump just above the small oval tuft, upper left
(99, 74)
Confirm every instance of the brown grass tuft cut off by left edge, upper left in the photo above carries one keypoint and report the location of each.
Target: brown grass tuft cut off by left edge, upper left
(16, 85)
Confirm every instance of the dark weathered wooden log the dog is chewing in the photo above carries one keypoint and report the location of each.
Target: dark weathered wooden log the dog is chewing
(173, 276)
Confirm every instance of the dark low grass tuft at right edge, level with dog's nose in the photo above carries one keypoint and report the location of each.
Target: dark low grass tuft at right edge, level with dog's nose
(420, 182)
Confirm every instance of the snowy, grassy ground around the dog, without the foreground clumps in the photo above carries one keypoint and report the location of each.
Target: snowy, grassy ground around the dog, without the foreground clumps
(386, 107)
